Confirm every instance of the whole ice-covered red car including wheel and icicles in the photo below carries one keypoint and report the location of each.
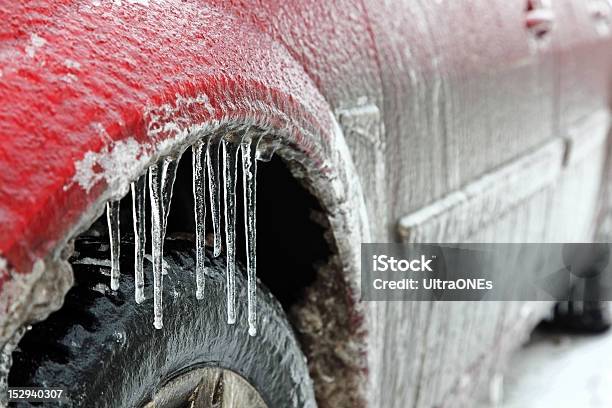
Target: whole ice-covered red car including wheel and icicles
(382, 122)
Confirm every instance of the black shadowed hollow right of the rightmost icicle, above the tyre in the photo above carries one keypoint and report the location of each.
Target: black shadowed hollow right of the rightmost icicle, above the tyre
(291, 234)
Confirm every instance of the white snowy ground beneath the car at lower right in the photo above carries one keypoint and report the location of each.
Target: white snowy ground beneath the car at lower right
(561, 371)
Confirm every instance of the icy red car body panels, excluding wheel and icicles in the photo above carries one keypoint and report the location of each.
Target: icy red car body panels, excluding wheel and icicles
(414, 121)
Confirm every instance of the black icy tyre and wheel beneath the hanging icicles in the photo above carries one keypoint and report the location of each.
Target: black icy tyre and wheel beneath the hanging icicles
(103, 349)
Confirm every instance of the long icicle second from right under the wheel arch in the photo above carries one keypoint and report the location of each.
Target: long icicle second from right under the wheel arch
(230, 150)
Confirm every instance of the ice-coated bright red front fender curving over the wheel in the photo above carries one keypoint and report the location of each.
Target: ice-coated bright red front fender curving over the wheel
(79, 79)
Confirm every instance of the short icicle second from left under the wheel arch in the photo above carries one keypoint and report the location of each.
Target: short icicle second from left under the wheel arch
(138, 216)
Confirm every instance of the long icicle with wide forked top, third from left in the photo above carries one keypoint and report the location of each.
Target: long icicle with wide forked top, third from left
(161, 181)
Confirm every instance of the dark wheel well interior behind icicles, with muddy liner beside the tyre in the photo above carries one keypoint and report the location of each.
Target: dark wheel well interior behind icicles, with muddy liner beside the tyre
(296, 258)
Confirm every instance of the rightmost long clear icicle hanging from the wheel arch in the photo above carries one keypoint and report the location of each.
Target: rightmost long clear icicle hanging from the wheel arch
(249, 180)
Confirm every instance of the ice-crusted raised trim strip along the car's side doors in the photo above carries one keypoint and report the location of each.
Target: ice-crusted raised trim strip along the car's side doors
(464, 212)
